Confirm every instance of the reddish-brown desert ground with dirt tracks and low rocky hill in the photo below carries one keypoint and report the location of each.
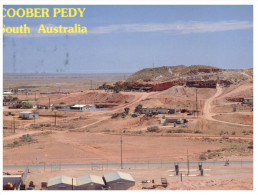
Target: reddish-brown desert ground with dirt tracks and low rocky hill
(219, 125)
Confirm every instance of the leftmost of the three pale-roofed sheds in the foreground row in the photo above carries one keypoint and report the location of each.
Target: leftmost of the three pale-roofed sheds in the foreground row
(61, 183)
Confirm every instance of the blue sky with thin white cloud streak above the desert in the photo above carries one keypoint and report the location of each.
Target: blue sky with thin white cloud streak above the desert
(126, 39)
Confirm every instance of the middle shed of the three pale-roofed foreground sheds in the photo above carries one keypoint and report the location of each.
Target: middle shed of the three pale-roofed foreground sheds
(89, 182)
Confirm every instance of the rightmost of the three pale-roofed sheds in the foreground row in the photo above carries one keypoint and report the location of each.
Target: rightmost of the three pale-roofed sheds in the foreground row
(118, 180)
